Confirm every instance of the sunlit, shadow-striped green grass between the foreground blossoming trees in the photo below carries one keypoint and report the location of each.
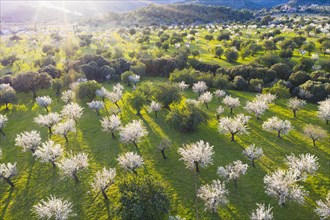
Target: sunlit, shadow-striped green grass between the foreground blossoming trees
(36, 180)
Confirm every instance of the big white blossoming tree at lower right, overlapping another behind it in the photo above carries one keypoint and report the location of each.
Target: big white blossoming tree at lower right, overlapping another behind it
(283, 185)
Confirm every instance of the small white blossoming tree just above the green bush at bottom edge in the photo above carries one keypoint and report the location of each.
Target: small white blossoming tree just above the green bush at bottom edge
(130, 161)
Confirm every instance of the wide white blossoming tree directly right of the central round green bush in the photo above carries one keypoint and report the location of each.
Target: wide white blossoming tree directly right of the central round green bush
(234, 126)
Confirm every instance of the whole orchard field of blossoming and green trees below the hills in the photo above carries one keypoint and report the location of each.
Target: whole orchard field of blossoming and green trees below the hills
(176, 83)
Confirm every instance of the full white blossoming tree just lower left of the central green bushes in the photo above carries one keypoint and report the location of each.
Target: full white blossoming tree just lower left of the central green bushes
(133, 132)
